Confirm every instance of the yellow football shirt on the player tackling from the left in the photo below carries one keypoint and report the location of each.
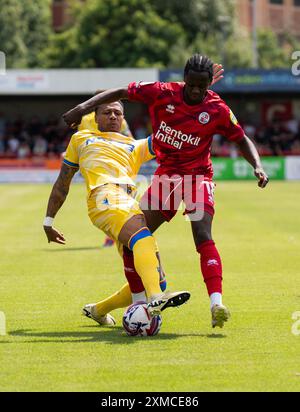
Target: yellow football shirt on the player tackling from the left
(107, 157)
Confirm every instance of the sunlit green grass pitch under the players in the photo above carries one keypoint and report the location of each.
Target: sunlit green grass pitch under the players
(49, 346)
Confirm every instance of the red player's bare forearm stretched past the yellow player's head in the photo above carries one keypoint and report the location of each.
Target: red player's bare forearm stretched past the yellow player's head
(73, 116)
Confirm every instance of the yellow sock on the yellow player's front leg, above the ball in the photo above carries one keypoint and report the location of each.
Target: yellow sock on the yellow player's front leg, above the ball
(145, 262)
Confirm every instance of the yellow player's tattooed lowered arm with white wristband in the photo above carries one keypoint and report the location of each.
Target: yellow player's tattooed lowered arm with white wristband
(57, 197)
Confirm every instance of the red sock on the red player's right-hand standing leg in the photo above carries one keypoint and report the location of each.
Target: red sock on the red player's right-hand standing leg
(211, 266)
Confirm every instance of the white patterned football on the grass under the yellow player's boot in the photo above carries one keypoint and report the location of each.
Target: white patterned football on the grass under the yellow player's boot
(138, 322)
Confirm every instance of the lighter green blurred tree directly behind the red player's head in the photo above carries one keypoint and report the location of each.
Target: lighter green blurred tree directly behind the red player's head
(211, 28)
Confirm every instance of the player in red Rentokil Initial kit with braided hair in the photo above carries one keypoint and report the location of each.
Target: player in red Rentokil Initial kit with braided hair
(185, 116)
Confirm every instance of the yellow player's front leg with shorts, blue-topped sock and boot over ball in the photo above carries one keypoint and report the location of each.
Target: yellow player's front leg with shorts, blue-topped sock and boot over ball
(112, 210)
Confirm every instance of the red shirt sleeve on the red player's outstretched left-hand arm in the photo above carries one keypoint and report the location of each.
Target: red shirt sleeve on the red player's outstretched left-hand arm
(144, 92)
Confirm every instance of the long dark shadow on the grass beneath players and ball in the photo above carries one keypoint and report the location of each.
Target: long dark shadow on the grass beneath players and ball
(115, 335)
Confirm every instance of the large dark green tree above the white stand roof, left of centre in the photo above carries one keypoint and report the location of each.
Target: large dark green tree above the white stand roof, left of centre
(115, 33)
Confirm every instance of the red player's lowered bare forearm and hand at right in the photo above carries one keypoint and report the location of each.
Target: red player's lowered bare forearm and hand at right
(250, 153)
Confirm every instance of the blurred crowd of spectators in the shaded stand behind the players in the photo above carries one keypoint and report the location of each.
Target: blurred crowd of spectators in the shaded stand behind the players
(49, 138)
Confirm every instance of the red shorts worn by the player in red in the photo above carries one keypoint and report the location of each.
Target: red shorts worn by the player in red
(166, 193)
